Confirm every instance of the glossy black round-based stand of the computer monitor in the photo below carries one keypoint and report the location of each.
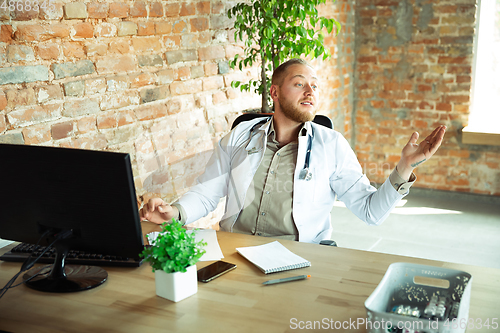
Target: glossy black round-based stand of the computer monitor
(64, 279)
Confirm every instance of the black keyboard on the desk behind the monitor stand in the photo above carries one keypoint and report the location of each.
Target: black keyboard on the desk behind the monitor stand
(20, 252)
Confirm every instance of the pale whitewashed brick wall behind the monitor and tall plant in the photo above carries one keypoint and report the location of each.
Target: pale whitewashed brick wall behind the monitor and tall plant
(150, 78)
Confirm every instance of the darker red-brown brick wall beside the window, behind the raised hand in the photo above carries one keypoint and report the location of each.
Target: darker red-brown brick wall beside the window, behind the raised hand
(413, 71)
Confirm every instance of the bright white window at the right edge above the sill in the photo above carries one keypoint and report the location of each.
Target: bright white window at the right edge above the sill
(485, 111)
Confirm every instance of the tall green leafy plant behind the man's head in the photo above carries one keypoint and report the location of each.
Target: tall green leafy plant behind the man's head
(274, 31)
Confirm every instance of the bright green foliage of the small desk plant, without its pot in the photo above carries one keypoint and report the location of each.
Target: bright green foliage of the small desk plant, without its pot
(174, 249)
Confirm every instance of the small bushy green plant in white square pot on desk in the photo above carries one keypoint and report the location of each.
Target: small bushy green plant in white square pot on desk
(173, 256)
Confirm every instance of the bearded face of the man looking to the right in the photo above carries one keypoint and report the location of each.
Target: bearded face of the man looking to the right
(298, 95)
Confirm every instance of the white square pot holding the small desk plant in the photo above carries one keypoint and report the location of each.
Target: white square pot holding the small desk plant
(176, 286)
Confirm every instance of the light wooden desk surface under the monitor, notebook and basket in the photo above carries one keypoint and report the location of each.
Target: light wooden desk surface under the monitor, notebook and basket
(342, 279)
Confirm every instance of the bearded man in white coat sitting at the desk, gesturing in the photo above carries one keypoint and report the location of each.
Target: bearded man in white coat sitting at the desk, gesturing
(281, 174)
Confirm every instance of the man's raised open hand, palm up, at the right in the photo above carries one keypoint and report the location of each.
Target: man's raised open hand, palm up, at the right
(414, 154)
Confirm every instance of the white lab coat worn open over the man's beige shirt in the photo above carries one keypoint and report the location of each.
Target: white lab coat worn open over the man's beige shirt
(335, 169)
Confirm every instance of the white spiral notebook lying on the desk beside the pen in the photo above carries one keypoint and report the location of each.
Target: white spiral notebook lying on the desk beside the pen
(272, 257)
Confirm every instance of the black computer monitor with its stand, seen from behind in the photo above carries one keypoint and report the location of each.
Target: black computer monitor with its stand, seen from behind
(84, 194)
